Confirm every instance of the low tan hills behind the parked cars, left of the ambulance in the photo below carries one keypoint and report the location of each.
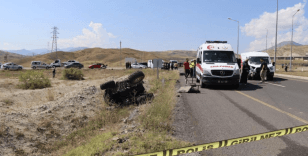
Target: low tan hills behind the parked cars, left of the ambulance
(111, 57)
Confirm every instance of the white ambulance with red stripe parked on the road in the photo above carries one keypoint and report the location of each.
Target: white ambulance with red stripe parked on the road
(217, 64)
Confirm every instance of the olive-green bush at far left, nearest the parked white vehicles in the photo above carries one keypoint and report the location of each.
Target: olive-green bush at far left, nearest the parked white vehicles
(33, 79)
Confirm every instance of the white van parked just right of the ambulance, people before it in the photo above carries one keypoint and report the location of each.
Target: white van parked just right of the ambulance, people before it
(255, 64)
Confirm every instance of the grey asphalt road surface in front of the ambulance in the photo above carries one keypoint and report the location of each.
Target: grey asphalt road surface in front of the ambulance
(220, 113)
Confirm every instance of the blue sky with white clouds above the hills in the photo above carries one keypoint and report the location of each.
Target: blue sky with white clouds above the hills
(154, 25)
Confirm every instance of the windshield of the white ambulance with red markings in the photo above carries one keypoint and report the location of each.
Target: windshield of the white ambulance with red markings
(219, 56)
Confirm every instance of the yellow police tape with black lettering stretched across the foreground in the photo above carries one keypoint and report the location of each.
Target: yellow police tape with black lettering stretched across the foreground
(229, 142)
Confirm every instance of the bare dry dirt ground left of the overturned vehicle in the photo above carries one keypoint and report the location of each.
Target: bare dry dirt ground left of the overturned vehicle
(32, 118)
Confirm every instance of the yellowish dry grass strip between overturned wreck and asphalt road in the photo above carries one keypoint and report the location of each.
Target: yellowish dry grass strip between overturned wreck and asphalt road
(156, 119)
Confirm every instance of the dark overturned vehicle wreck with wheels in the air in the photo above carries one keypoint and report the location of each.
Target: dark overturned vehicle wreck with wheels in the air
(126, 92)
